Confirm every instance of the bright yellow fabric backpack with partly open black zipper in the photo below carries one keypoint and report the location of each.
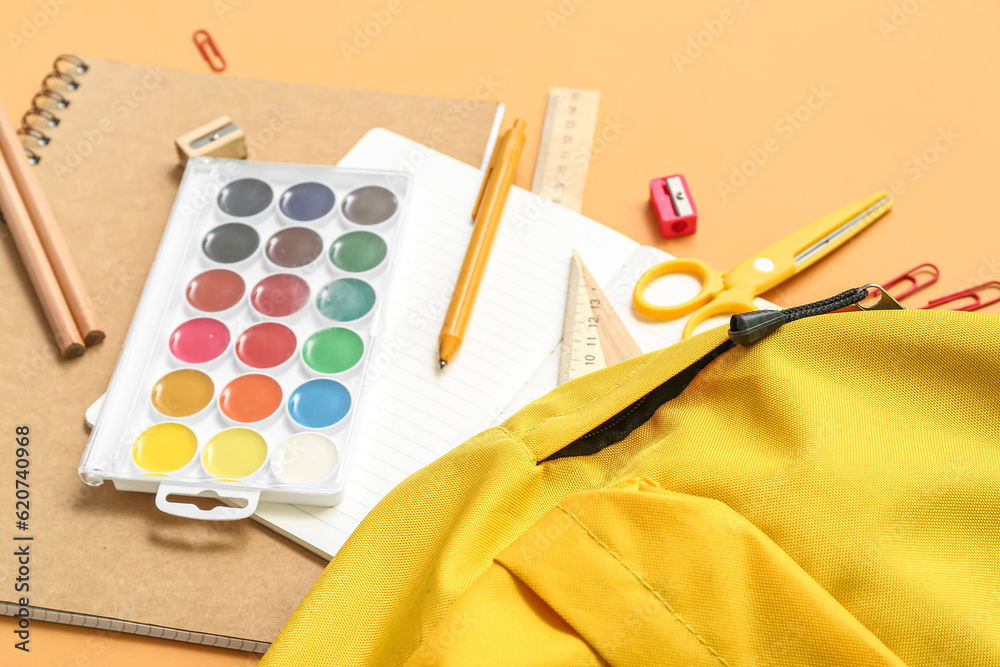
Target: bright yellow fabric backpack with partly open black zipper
(828, 496)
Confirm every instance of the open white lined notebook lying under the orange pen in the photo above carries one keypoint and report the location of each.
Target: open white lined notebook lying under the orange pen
(412, 413)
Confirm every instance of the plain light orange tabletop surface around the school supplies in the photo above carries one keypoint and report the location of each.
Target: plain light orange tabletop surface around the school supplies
(698, 88)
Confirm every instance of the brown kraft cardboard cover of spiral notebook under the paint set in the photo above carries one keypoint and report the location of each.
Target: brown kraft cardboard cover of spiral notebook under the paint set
(111, 173)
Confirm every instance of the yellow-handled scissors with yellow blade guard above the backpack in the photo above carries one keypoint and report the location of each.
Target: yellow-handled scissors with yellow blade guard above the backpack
(730, 292)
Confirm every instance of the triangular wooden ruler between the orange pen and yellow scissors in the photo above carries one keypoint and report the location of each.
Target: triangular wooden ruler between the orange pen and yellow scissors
(593, 335)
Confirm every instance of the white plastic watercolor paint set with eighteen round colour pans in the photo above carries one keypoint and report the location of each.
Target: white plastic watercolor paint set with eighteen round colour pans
(243, 370)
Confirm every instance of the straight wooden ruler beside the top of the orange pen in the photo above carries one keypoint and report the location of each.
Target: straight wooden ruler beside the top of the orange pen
(564, 154)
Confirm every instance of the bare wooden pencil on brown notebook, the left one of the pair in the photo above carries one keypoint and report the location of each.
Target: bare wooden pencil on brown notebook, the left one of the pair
(36, 263)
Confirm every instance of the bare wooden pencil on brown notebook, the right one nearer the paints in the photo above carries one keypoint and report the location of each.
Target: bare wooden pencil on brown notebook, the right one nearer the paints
(60, 260)
